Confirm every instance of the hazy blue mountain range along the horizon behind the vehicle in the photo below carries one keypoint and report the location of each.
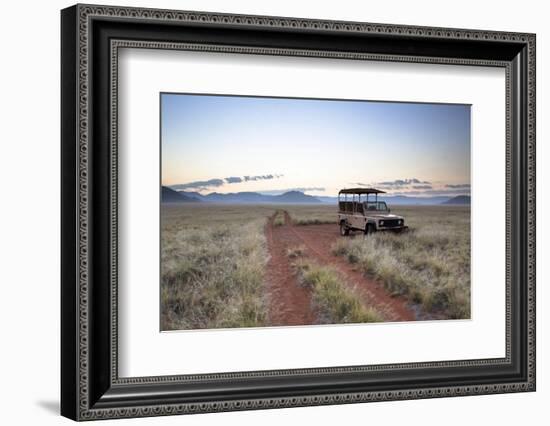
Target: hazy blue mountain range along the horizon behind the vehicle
(297, 197)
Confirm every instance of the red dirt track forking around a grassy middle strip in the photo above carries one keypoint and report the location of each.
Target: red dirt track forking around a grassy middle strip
(291, 303)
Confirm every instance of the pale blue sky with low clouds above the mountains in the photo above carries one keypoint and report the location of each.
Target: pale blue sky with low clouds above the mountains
(227, 144)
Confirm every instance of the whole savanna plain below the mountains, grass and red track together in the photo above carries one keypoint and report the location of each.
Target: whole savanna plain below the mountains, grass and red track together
(226, 266)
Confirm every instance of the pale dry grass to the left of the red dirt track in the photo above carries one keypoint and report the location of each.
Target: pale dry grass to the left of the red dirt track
(212, 266)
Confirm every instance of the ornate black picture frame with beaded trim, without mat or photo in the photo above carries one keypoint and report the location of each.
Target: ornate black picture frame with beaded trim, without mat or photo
(91, 37)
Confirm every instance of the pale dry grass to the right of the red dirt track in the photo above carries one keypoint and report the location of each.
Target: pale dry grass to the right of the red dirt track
(430, 265)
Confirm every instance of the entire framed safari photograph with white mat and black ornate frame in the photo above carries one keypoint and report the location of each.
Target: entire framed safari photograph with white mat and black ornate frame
(263, 212)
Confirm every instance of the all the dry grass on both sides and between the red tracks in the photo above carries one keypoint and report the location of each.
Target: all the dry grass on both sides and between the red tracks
(214, 260)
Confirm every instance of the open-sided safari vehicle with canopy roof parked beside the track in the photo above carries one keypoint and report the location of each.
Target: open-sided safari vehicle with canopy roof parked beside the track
(361, 214)
